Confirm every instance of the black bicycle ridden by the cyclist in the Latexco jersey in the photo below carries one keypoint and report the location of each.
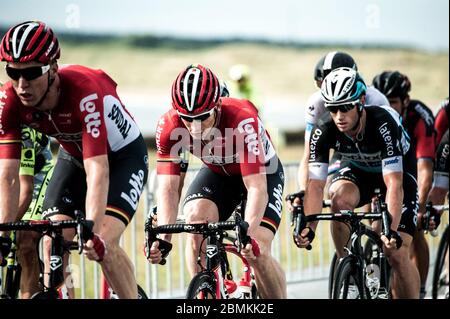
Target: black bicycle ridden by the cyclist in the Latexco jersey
(371, 280)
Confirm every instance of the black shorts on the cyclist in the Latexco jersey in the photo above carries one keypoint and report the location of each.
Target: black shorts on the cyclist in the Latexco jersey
(367, 183)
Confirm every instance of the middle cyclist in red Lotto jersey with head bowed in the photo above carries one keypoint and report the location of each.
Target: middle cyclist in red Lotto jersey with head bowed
(239, 161)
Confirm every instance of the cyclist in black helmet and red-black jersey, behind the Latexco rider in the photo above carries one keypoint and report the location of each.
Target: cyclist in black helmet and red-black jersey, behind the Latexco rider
(418, 120)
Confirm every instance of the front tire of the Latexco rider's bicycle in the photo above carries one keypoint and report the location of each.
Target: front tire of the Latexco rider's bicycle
(346, 271)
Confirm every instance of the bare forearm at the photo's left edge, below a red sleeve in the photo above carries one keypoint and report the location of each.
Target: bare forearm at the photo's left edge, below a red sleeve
(9, 189)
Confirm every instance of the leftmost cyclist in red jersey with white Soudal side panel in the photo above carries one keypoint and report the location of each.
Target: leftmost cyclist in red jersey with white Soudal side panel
(102, 164)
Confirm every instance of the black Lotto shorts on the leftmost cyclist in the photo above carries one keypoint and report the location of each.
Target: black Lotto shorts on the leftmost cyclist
(128, 169)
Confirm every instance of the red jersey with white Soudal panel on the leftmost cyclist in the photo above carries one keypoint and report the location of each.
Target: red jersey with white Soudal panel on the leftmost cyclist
(89, 120)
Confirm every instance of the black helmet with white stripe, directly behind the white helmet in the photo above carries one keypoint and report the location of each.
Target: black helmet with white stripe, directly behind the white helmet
(331, 61)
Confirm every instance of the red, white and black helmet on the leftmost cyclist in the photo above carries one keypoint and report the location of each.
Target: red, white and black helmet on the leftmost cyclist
(29, 41)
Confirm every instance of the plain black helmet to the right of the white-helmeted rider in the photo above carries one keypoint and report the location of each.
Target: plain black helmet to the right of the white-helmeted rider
(392, 84)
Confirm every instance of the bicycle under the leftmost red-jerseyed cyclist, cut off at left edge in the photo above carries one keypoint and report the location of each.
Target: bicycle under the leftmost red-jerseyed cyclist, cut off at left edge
(59, 245)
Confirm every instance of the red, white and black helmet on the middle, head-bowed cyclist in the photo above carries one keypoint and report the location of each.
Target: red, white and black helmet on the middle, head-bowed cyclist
(196, 90)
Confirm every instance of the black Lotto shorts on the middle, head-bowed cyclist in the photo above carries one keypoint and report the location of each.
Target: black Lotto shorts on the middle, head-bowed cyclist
(228, 191)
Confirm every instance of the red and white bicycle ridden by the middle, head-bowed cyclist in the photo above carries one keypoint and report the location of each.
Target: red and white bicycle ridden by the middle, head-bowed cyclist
(211, 282)
